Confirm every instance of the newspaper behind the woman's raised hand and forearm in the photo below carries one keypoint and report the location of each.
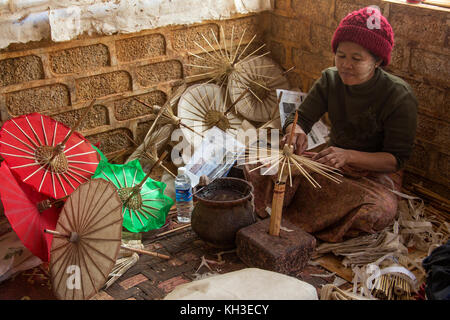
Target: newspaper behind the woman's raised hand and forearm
(290, 101)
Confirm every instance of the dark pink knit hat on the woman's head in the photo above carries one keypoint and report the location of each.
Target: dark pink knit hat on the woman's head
(368, 28)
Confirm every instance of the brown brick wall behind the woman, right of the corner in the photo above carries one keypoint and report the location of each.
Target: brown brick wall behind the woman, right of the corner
(300, 35)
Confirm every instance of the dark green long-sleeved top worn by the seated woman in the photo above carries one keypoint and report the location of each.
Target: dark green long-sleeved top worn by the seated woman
(379, 115)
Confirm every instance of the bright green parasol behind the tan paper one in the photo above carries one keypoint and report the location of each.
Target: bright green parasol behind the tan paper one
(145, 206)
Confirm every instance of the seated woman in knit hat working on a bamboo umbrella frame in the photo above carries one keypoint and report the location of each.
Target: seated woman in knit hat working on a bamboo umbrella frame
(373, 121)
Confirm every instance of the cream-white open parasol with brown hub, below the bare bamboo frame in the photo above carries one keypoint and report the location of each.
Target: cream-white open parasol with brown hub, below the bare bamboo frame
(203, 106)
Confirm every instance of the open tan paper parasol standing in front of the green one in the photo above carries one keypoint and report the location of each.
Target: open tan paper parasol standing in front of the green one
(86, 240)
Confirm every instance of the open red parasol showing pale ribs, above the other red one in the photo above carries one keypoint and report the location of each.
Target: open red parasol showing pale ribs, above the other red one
(47, 155)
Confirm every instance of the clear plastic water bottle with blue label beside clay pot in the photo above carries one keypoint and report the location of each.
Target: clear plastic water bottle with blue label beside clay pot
(183, 196)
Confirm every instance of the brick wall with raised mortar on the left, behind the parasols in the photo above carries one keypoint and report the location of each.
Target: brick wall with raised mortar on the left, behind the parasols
(60, 79)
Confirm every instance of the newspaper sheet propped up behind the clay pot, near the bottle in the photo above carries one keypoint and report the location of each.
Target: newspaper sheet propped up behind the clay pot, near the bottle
(214, 157)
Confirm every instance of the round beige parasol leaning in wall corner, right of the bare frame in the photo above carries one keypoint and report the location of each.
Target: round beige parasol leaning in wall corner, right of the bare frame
(262, 77)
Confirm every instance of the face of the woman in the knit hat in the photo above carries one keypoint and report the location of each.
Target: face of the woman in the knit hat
(354, 63)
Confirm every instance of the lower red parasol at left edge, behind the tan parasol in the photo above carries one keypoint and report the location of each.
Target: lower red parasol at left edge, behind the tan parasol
(21, 203)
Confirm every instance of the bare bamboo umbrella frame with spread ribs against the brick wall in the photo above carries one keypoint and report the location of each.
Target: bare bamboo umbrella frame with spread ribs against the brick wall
(222, 60)
